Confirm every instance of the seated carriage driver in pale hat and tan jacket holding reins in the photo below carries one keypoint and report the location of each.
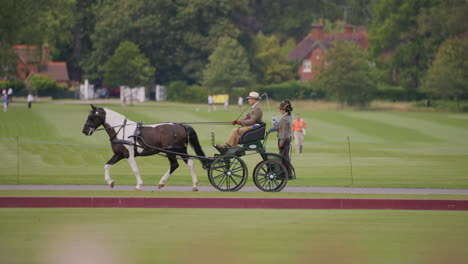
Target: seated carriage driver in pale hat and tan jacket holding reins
(253, 119)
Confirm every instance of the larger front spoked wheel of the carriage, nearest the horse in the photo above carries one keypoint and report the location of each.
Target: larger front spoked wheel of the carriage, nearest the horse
(228, 173)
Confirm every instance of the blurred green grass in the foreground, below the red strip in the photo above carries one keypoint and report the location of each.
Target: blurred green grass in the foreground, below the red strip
(231, 236)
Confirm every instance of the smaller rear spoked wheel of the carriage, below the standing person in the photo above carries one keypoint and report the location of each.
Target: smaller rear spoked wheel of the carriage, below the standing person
(270, 176)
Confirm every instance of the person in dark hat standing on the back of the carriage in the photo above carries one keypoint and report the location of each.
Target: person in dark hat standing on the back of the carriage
(284, 132)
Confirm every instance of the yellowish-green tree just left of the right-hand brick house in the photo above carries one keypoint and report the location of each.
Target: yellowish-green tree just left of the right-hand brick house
(274, 67)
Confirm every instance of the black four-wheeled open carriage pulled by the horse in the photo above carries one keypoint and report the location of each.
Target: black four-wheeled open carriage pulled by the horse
(228, 172)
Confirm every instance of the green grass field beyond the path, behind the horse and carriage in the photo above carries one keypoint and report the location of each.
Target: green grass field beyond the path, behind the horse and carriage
(388, 149)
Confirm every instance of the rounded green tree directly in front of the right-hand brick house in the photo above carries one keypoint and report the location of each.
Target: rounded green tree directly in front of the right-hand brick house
(346, 74)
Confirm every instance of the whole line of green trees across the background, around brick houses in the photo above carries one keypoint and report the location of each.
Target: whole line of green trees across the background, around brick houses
(415, 46)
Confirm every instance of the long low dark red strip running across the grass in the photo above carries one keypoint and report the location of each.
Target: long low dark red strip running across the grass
(244, 203)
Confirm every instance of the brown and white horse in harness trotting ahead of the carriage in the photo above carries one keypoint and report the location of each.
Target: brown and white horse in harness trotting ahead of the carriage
(131, 139)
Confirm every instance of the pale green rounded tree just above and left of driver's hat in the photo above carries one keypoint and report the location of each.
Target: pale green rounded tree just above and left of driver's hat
(228, 67)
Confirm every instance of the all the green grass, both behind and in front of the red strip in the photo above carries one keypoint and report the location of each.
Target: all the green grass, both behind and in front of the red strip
(388, 149)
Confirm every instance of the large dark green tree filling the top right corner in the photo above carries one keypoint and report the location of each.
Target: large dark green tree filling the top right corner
(409, 33)
